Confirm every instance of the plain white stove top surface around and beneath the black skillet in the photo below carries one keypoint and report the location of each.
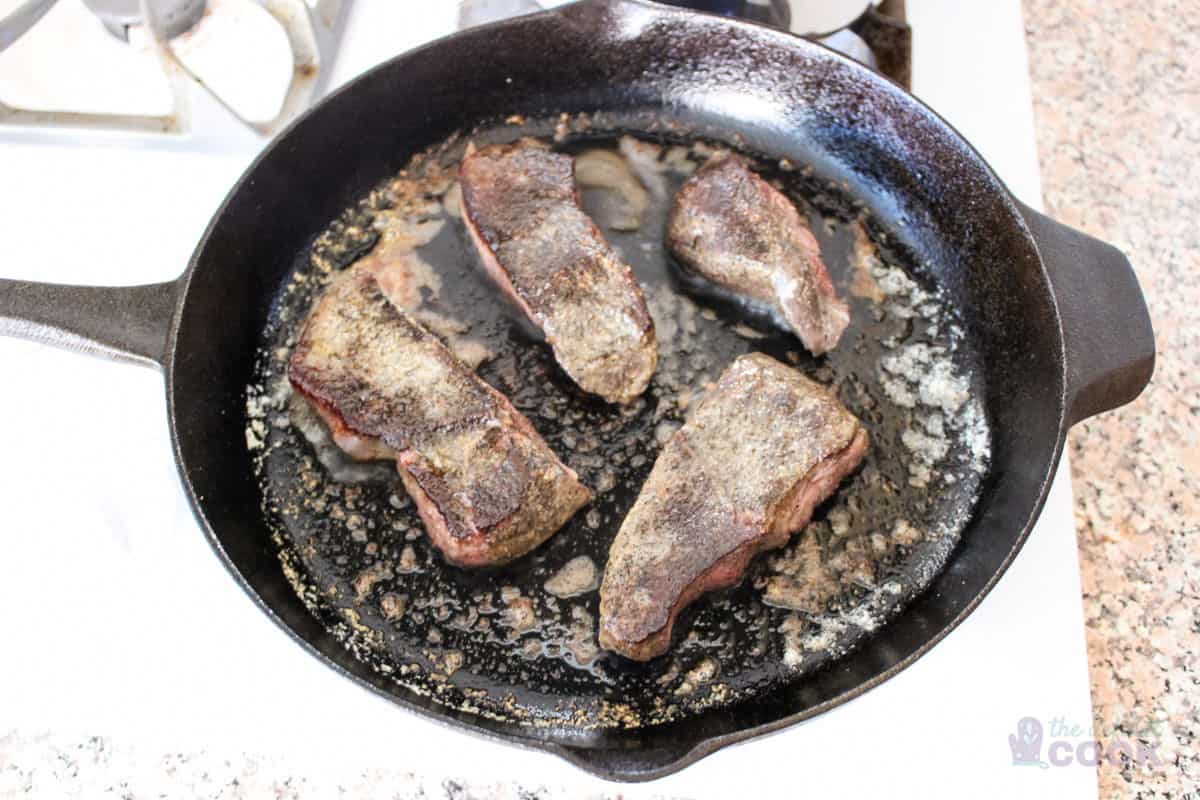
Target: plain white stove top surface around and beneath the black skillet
(121, 623)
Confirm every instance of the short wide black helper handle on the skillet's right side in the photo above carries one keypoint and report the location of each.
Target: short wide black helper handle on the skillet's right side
(1109, 340)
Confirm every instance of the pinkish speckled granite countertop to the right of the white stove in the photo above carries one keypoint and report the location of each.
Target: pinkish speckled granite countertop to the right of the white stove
(1117, 92)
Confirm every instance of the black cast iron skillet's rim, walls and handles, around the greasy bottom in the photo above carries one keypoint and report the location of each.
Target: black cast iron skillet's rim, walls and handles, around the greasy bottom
(1057, 317)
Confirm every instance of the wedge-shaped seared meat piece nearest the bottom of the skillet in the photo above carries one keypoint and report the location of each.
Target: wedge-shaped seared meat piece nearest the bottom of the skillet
(763, 450)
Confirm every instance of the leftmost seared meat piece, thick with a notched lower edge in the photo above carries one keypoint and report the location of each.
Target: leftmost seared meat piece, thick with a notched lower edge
(484, 482)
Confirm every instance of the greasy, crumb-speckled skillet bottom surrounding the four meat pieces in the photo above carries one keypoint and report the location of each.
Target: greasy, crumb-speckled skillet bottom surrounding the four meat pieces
(520, 642)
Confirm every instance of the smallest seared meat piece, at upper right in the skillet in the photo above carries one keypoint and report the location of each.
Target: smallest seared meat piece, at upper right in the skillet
(735, 230)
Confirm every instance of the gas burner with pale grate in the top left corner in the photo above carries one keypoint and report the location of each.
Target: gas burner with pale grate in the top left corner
(190, 59)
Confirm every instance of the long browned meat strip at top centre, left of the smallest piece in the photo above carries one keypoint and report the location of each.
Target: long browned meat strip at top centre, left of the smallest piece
(523, 212)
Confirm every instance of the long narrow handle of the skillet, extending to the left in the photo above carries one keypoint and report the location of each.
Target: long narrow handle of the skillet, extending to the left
(121, 323)
